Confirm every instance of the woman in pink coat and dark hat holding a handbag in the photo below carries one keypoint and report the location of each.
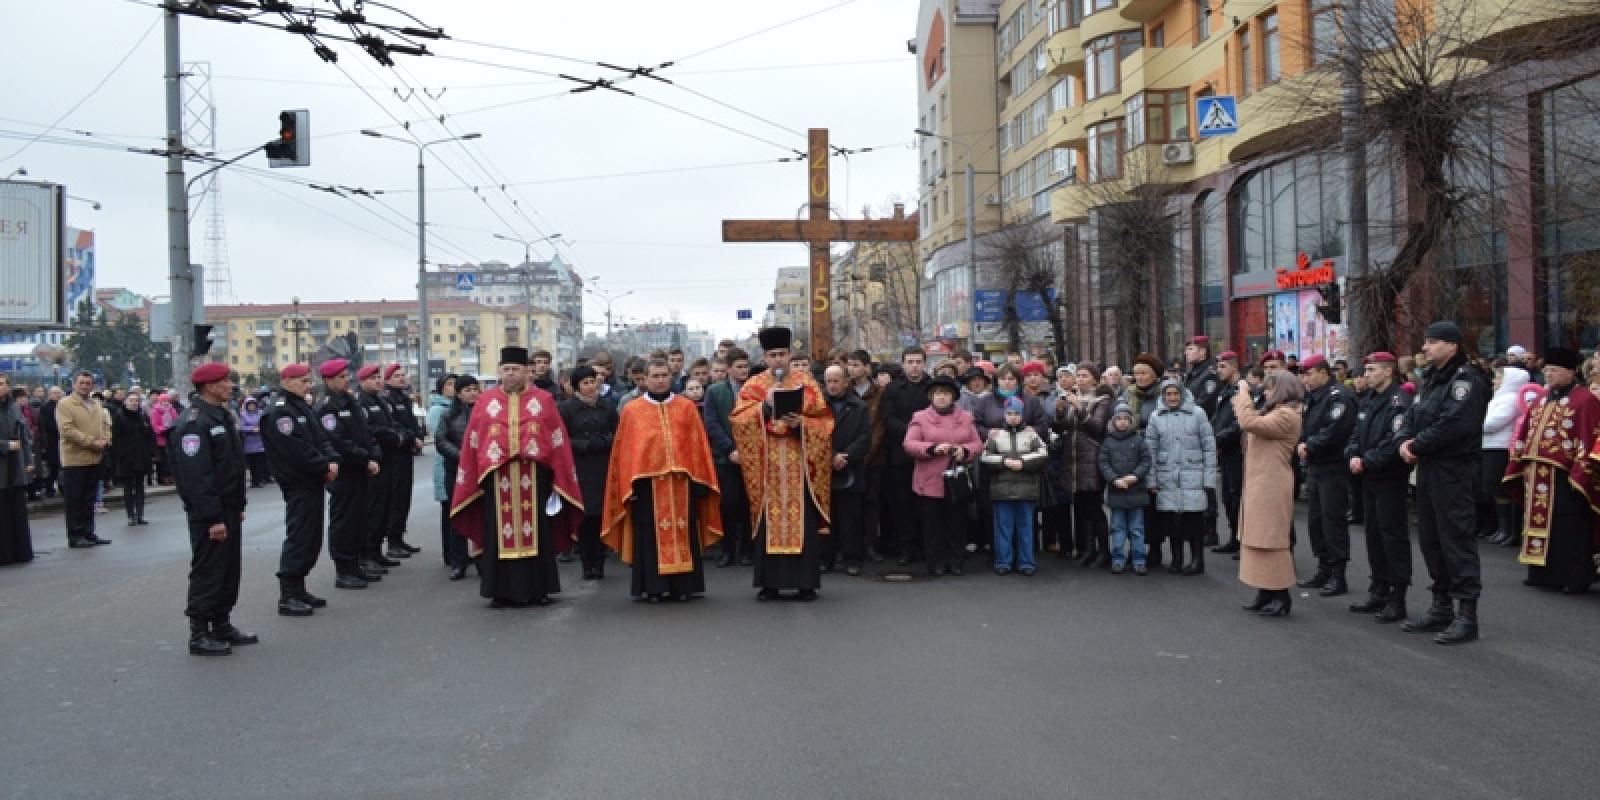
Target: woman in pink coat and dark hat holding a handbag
(940, 438)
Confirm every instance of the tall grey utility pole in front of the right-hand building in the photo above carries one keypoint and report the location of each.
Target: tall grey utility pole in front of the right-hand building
(1353, 108)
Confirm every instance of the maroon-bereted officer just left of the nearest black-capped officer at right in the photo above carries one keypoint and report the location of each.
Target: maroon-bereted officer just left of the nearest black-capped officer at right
(1375, 455)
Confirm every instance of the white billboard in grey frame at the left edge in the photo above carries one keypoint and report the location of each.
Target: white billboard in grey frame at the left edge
(31, 255)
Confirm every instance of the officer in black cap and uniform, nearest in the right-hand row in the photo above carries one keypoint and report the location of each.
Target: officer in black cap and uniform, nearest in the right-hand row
(1444, 438)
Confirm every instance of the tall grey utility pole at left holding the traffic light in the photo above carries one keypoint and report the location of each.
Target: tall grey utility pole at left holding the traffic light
(180, 271)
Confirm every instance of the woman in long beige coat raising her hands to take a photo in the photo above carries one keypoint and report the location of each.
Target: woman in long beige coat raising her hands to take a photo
(1266, 511)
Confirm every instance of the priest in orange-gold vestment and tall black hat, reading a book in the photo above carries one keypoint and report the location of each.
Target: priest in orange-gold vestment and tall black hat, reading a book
(788, 471)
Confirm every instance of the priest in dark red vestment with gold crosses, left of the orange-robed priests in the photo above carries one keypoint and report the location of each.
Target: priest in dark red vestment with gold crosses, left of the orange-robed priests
(516, 497)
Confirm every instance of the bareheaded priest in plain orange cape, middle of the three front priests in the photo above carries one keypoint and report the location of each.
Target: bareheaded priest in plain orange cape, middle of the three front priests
(662, 497)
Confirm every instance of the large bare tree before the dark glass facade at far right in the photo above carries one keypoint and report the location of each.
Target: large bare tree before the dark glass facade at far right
(1434, 74)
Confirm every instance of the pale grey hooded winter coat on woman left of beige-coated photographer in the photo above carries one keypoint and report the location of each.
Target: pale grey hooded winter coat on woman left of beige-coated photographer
(1183, 450)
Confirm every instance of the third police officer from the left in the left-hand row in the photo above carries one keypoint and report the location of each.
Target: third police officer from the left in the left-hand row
(345, 422)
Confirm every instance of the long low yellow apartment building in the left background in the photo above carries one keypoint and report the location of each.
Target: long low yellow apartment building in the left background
(466, 337)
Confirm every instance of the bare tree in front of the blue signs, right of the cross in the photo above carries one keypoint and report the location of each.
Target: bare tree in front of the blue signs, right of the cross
(1026, 258)
